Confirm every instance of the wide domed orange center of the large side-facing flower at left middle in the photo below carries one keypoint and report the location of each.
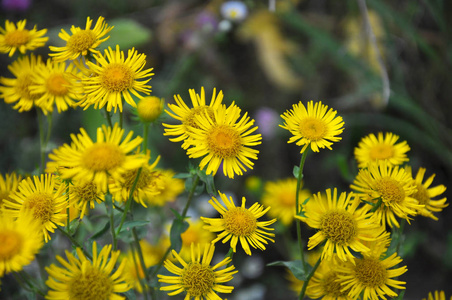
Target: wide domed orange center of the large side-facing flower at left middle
(103, 157)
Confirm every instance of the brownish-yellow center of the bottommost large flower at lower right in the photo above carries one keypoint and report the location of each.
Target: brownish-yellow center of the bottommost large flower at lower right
(370, 272)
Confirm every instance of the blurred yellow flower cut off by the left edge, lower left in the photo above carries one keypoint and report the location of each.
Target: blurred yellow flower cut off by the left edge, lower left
(20, 240)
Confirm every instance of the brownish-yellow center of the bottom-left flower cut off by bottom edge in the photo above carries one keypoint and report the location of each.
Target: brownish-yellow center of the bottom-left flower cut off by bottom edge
(90, 284)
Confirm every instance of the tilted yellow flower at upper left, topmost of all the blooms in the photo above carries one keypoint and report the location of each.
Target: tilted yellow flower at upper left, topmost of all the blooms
(82, 41)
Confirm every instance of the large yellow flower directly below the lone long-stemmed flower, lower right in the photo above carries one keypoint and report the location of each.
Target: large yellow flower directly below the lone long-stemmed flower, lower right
(340, 222)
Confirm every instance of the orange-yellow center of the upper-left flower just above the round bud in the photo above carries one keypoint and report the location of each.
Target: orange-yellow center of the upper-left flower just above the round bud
(117, 78)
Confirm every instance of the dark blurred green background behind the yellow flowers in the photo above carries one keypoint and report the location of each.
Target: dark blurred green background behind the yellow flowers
(266, 57)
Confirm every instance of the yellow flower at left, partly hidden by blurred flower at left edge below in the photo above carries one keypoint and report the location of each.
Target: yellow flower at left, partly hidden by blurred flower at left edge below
(46, 202)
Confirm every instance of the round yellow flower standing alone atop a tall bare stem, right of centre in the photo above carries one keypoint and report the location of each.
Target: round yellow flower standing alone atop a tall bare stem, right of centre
(315, 125)
